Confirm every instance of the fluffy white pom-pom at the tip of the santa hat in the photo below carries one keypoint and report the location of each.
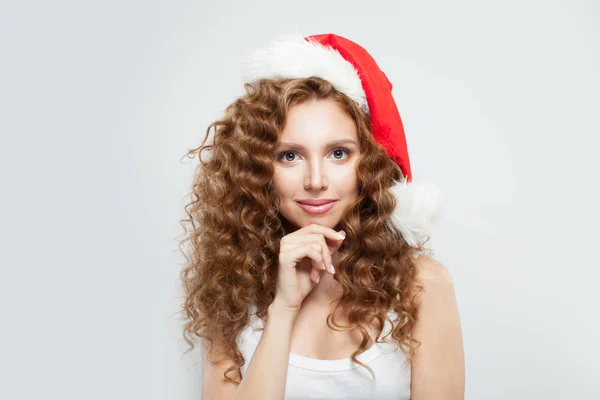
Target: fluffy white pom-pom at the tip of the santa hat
(418, 206)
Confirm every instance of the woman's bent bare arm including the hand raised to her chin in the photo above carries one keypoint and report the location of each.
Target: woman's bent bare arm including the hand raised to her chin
(316, 243)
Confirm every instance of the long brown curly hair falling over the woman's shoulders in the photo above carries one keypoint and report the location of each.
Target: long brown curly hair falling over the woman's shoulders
(233, 227)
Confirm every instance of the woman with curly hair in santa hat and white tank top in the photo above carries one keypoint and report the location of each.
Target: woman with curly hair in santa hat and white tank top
(306, 277)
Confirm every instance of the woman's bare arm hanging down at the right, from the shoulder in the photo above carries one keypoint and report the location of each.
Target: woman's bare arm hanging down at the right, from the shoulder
(438, 370)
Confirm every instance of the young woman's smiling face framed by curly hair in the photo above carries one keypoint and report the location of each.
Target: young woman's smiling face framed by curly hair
(316, 160)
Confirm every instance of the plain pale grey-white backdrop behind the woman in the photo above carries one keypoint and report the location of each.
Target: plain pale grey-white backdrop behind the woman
(101, 100)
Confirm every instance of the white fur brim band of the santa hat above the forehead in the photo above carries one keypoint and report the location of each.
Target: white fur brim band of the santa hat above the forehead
(295, 57)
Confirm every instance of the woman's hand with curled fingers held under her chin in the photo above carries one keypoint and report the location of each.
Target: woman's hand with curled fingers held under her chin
(295, 279)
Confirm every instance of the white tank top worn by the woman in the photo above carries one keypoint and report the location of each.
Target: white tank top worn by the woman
(311, 378)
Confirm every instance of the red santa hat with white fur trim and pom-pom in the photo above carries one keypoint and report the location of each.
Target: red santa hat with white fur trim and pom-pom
(352, 71)
